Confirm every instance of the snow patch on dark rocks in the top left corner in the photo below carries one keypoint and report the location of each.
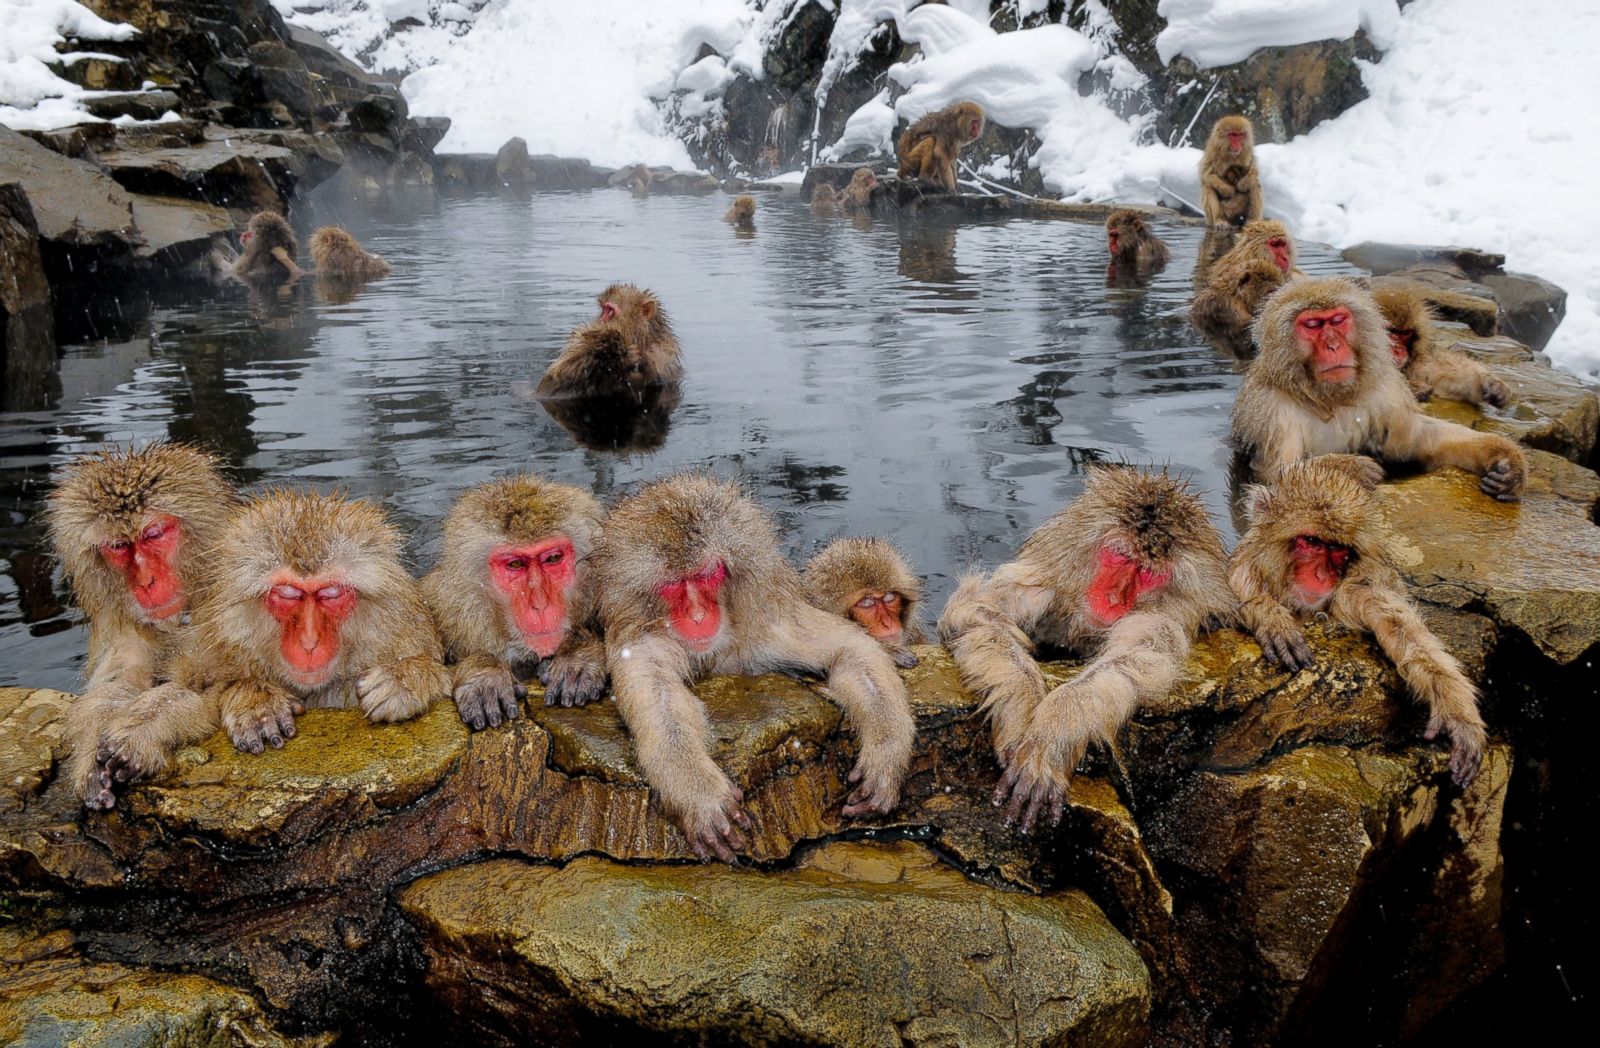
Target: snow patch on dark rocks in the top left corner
(31, 94)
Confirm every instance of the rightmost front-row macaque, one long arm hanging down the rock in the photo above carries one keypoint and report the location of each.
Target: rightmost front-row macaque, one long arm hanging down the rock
(1318, 545)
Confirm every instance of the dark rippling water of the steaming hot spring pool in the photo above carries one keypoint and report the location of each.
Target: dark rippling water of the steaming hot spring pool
(938, 385)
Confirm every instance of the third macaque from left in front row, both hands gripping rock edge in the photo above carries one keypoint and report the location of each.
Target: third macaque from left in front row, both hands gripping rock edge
(510, 596)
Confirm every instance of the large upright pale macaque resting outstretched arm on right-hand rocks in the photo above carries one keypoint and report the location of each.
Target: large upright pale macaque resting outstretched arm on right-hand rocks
(1326, 383)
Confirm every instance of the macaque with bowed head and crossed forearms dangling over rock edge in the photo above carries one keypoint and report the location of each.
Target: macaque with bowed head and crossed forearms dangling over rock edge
(1126, 575)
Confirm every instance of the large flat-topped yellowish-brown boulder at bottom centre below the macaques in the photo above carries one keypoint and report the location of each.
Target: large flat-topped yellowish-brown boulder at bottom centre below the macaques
(858, 945)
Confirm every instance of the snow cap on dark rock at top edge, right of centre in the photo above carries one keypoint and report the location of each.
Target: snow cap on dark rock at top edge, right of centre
(1222, 33)
